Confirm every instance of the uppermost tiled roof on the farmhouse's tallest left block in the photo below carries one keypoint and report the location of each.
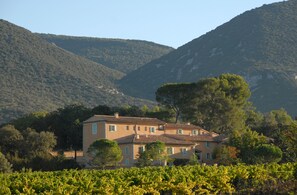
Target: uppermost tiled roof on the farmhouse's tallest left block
(125, 120)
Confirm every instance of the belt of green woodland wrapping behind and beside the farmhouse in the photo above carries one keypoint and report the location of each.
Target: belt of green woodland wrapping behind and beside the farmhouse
(218, 104)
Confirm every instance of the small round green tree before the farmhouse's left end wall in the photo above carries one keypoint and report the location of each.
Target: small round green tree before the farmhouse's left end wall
(104, 152)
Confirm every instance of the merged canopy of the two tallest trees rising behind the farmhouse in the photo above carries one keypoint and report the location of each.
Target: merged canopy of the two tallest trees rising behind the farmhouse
(215, 104)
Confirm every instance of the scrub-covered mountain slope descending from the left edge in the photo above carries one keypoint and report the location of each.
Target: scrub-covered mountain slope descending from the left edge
(36, 75)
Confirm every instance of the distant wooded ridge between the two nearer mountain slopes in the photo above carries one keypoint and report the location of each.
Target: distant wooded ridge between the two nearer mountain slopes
(119, 54)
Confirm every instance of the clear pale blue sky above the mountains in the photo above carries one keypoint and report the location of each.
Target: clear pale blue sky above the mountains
(168, 22)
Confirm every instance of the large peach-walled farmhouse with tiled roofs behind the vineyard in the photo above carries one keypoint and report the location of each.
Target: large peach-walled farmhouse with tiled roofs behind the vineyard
(132, 133)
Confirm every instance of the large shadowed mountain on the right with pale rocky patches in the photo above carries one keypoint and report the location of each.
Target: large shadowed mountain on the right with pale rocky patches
(260, 44)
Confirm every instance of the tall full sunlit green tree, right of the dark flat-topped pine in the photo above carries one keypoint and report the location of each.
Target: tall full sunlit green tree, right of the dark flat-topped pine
(218, 103)
